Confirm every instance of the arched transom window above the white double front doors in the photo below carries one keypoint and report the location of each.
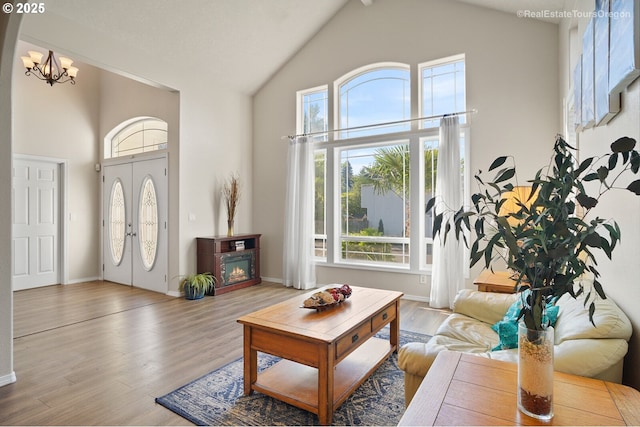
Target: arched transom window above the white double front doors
(137, 136)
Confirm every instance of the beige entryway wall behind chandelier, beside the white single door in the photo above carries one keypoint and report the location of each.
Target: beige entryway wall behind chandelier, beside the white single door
(61, 121)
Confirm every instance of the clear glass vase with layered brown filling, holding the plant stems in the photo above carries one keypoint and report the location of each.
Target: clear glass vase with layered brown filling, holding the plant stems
(535, 372)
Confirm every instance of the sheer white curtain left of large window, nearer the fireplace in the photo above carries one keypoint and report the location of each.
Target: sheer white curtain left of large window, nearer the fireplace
(298, 266)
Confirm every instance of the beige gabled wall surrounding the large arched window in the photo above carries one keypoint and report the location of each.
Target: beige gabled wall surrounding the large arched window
(512, 79)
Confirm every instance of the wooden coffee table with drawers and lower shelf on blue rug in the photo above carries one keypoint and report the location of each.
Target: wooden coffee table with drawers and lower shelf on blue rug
(326, 354)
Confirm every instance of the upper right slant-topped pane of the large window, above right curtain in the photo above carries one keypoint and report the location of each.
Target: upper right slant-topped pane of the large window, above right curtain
(443, 91)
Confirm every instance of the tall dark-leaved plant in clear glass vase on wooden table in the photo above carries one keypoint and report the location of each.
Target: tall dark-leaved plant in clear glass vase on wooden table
(548, 241)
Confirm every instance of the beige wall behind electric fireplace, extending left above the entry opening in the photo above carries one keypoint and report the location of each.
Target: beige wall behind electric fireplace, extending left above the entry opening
(215, 130)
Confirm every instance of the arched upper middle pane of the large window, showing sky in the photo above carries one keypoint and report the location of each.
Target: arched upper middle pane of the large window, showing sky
(378, 96)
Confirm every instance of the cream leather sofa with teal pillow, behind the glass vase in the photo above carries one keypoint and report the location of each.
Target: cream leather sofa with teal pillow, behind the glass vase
(580, 348)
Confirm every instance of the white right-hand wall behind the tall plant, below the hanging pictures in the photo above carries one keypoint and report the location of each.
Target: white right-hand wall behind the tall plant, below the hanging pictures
(618, 275)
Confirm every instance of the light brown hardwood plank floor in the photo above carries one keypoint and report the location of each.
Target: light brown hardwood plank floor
(99, 353)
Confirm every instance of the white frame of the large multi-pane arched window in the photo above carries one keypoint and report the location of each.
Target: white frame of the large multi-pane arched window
(331, 145)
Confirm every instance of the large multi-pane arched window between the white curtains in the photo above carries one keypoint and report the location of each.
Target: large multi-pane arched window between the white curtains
(372, 182)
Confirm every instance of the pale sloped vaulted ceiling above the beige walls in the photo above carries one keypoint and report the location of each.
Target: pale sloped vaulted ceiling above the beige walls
(239, 42)
